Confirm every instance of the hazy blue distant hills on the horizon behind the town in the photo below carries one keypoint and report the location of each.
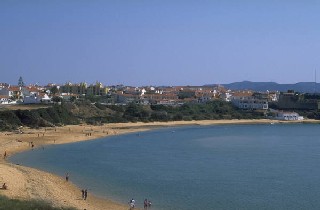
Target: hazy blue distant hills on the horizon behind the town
(302, 87)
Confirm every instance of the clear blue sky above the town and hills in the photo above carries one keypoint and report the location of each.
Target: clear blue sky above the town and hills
(159, 42)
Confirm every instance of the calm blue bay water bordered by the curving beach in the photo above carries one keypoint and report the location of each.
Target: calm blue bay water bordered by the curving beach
(200, 167)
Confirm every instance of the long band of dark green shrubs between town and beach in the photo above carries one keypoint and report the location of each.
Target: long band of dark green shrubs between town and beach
(85, 111)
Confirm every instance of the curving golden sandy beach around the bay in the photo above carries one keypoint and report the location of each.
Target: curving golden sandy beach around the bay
(28, 183)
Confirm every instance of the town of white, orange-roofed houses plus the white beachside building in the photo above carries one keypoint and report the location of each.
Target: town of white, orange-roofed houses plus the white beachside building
(120, 94)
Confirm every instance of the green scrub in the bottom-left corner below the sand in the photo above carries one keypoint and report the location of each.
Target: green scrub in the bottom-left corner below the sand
(14, 204)
